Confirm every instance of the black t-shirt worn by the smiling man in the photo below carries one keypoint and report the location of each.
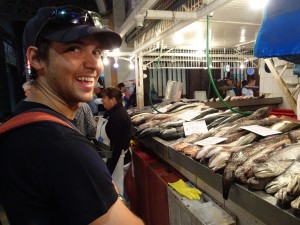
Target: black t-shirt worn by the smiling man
(51, 174)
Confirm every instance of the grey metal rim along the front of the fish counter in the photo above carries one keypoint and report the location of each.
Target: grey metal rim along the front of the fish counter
(258, 203)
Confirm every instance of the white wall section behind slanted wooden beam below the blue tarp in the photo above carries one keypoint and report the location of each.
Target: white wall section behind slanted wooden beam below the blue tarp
(268, 84)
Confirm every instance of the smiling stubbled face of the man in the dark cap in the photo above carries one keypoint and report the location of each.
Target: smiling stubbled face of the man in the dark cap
(73, 69)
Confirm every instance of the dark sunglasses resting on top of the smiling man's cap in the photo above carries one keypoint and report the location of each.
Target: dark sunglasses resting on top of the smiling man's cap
(70, 15)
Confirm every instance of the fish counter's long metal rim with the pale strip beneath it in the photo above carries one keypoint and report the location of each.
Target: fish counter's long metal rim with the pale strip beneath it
(250, 207)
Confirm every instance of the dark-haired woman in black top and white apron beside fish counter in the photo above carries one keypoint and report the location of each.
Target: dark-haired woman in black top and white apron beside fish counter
(116, 131)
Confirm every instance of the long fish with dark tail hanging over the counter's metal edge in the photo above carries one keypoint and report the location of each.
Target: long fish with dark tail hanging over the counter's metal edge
(239, 157)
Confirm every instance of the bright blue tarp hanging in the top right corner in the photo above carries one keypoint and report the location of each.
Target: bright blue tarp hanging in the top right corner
(279, 35)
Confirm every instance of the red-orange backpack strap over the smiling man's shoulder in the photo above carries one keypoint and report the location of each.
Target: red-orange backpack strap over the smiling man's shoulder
(29, 118)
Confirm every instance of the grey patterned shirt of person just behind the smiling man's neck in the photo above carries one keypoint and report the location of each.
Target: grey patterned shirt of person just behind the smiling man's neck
(85, 122)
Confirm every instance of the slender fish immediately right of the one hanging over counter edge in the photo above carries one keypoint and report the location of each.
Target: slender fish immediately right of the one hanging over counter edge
(244, 171)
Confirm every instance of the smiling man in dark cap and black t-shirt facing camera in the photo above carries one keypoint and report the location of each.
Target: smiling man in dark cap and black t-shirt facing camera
(49, 172)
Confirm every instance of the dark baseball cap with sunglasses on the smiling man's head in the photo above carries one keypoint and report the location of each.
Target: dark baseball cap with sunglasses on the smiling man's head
(66, 24)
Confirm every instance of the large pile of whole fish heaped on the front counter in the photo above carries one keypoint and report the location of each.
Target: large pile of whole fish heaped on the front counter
(270, 164)
